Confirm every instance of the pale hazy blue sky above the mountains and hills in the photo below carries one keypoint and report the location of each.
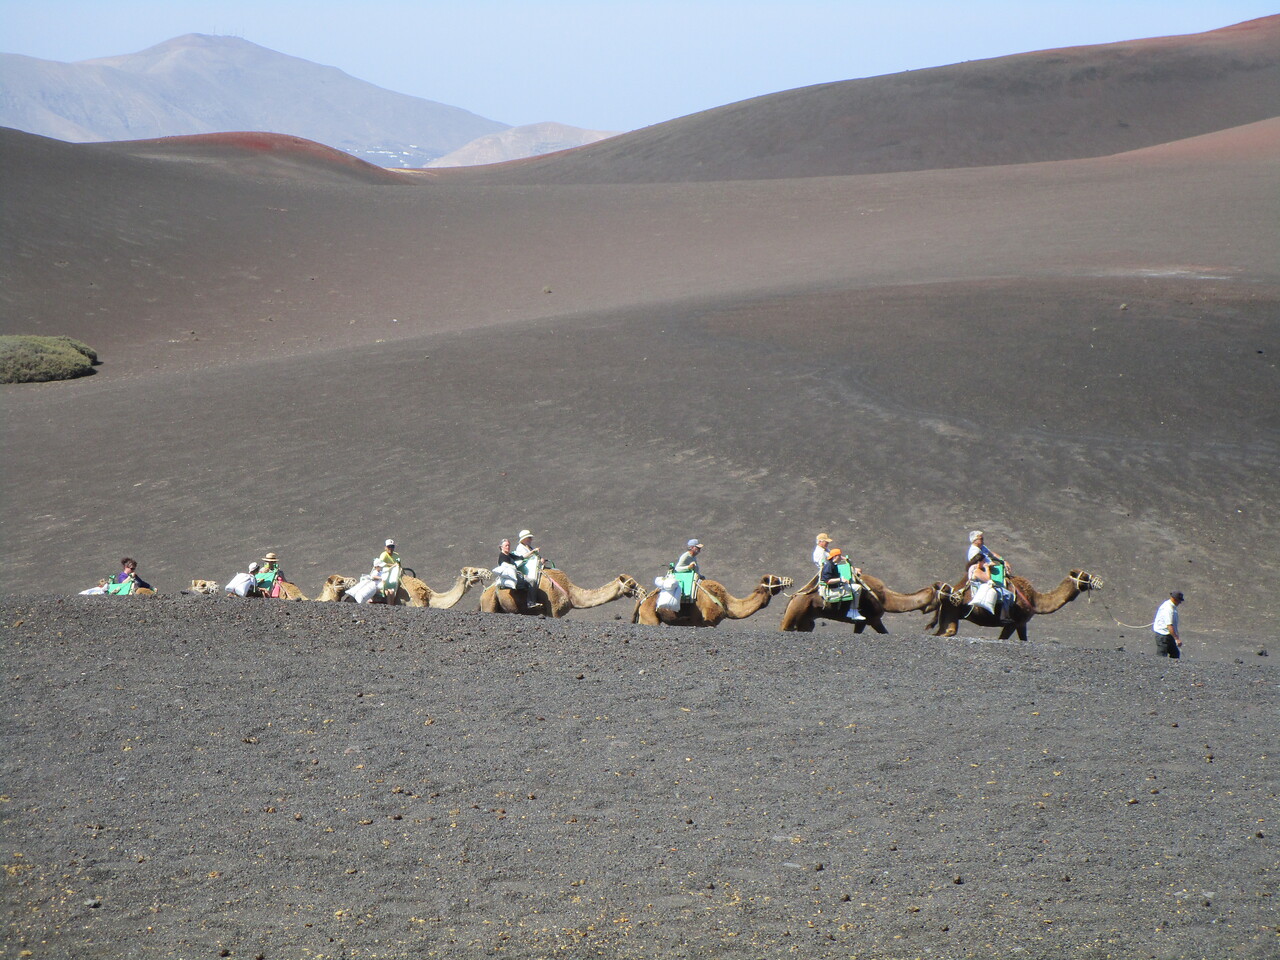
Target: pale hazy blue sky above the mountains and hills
(609, 65)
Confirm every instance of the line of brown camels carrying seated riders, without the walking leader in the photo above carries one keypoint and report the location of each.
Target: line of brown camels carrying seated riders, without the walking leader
(525, 584)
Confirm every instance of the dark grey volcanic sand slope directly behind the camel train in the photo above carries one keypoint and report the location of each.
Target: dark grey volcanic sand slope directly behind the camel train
(616, 437)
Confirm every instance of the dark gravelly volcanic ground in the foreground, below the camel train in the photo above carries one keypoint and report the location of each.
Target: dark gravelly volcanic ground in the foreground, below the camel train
(200, 778)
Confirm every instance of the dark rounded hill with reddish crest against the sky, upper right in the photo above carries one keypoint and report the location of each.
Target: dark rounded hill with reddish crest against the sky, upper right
(1052, 106)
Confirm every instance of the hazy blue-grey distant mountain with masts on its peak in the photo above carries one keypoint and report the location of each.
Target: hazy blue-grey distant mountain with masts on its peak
(208, 85)
